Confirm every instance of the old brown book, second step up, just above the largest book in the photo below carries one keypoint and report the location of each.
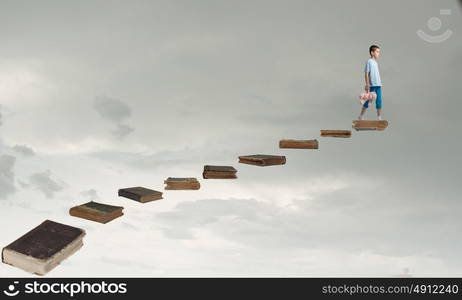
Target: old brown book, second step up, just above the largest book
(97, 212)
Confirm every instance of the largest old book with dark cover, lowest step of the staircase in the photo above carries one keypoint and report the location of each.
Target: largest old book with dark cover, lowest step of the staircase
(44, 247)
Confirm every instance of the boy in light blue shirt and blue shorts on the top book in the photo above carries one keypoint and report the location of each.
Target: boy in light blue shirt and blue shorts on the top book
(373, 83)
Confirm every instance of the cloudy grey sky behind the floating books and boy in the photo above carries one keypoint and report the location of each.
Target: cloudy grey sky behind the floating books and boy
(101, 95)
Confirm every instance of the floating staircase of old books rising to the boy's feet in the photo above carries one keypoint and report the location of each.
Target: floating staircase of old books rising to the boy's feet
(45, 246)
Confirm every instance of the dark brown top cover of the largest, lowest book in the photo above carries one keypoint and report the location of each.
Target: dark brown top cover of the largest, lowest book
(45, 240)
